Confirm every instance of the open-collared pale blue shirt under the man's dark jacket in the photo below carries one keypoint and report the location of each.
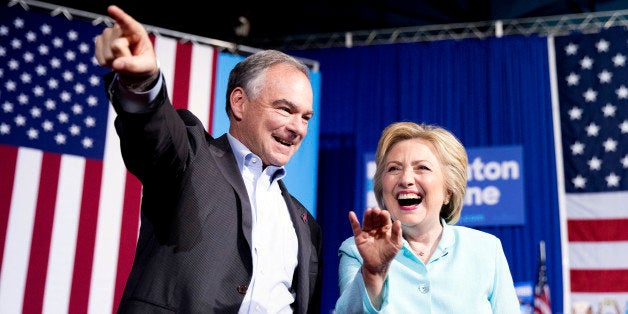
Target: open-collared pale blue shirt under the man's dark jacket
(274, 246)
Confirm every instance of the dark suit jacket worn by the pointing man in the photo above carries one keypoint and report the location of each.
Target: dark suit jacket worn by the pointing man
(194, 249)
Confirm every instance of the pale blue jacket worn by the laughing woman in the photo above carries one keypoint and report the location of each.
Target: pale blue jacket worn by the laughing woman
(468, 273)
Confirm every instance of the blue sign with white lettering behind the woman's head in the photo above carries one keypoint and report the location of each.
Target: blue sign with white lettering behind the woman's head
(495, 186)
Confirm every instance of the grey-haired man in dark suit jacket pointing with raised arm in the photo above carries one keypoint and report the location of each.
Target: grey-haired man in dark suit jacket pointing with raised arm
(219, 231)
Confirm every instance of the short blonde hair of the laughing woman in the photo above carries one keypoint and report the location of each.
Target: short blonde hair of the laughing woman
(449, 151)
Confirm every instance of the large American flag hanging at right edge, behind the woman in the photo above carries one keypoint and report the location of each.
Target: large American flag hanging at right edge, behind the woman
(592, 81)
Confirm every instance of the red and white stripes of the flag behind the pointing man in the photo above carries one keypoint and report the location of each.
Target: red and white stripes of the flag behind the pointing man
(69, 225)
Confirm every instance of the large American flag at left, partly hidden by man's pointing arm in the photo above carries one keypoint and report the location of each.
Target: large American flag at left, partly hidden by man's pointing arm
(69, 211)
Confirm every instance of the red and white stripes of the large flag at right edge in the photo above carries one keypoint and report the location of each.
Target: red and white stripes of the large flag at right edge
(598, 246)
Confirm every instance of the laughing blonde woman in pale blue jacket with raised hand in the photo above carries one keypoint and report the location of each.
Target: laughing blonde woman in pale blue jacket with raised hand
(411, 242)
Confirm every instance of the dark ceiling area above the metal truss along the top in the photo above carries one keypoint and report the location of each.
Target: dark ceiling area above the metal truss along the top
(280, 19)
